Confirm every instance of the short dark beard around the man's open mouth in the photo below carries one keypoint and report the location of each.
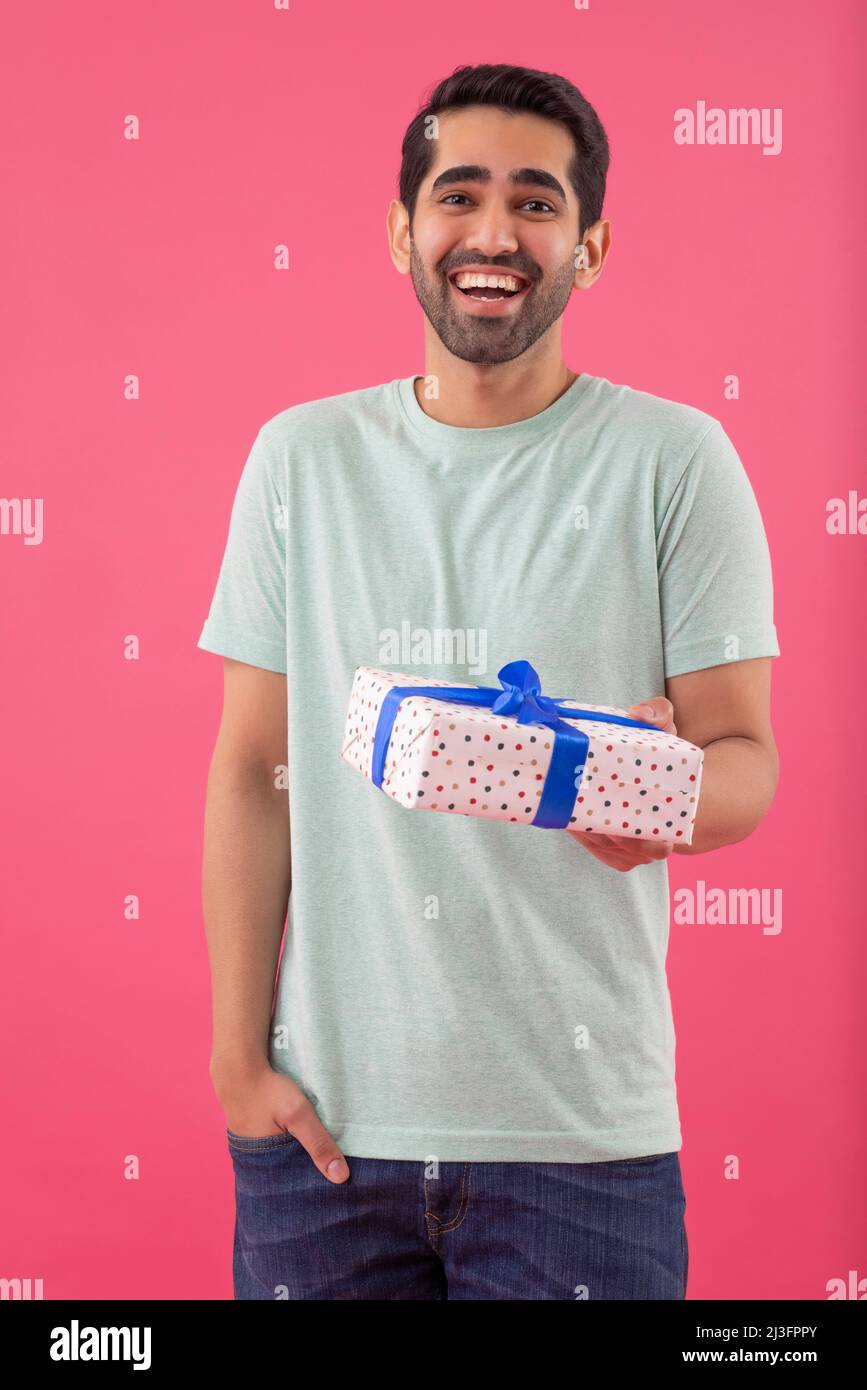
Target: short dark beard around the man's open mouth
(491, 340)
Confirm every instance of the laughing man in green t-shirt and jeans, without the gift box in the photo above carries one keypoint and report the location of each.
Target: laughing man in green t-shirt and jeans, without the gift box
(466, 1088)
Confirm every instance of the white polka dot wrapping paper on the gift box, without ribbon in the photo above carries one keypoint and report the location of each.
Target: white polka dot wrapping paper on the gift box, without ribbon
(468, 761)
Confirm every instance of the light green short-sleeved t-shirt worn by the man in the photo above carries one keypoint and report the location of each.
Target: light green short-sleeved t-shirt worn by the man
(481, 990)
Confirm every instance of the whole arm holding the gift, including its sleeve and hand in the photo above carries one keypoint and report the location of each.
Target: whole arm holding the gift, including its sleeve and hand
(716, 596)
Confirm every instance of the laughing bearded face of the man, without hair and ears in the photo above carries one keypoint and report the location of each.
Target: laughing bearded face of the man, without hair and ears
(498, 197)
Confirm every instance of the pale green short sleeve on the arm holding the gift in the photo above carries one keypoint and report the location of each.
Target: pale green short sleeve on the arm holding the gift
(713, 562)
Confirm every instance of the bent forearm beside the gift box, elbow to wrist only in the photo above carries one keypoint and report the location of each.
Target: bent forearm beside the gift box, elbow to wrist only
(738, 785)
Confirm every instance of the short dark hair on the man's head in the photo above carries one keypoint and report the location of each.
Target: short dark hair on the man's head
(515, 90)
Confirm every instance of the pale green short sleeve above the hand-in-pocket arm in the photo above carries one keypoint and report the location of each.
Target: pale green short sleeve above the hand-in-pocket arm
(248, 615)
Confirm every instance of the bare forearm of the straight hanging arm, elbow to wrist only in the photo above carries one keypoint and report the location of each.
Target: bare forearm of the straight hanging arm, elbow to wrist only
(245, 893)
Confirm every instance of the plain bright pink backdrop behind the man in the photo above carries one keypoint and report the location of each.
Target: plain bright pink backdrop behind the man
(155, 258)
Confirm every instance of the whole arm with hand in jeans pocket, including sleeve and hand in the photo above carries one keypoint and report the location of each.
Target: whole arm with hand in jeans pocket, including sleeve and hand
(247, 867)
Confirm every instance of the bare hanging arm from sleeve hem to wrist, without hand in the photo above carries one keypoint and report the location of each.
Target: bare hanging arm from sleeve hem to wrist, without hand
(247, 867)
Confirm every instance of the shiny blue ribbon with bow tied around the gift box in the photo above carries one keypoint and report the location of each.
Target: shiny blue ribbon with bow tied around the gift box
(520, 694)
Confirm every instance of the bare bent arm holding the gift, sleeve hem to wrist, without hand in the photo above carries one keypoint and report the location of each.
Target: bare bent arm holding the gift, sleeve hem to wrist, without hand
(726, 711)
